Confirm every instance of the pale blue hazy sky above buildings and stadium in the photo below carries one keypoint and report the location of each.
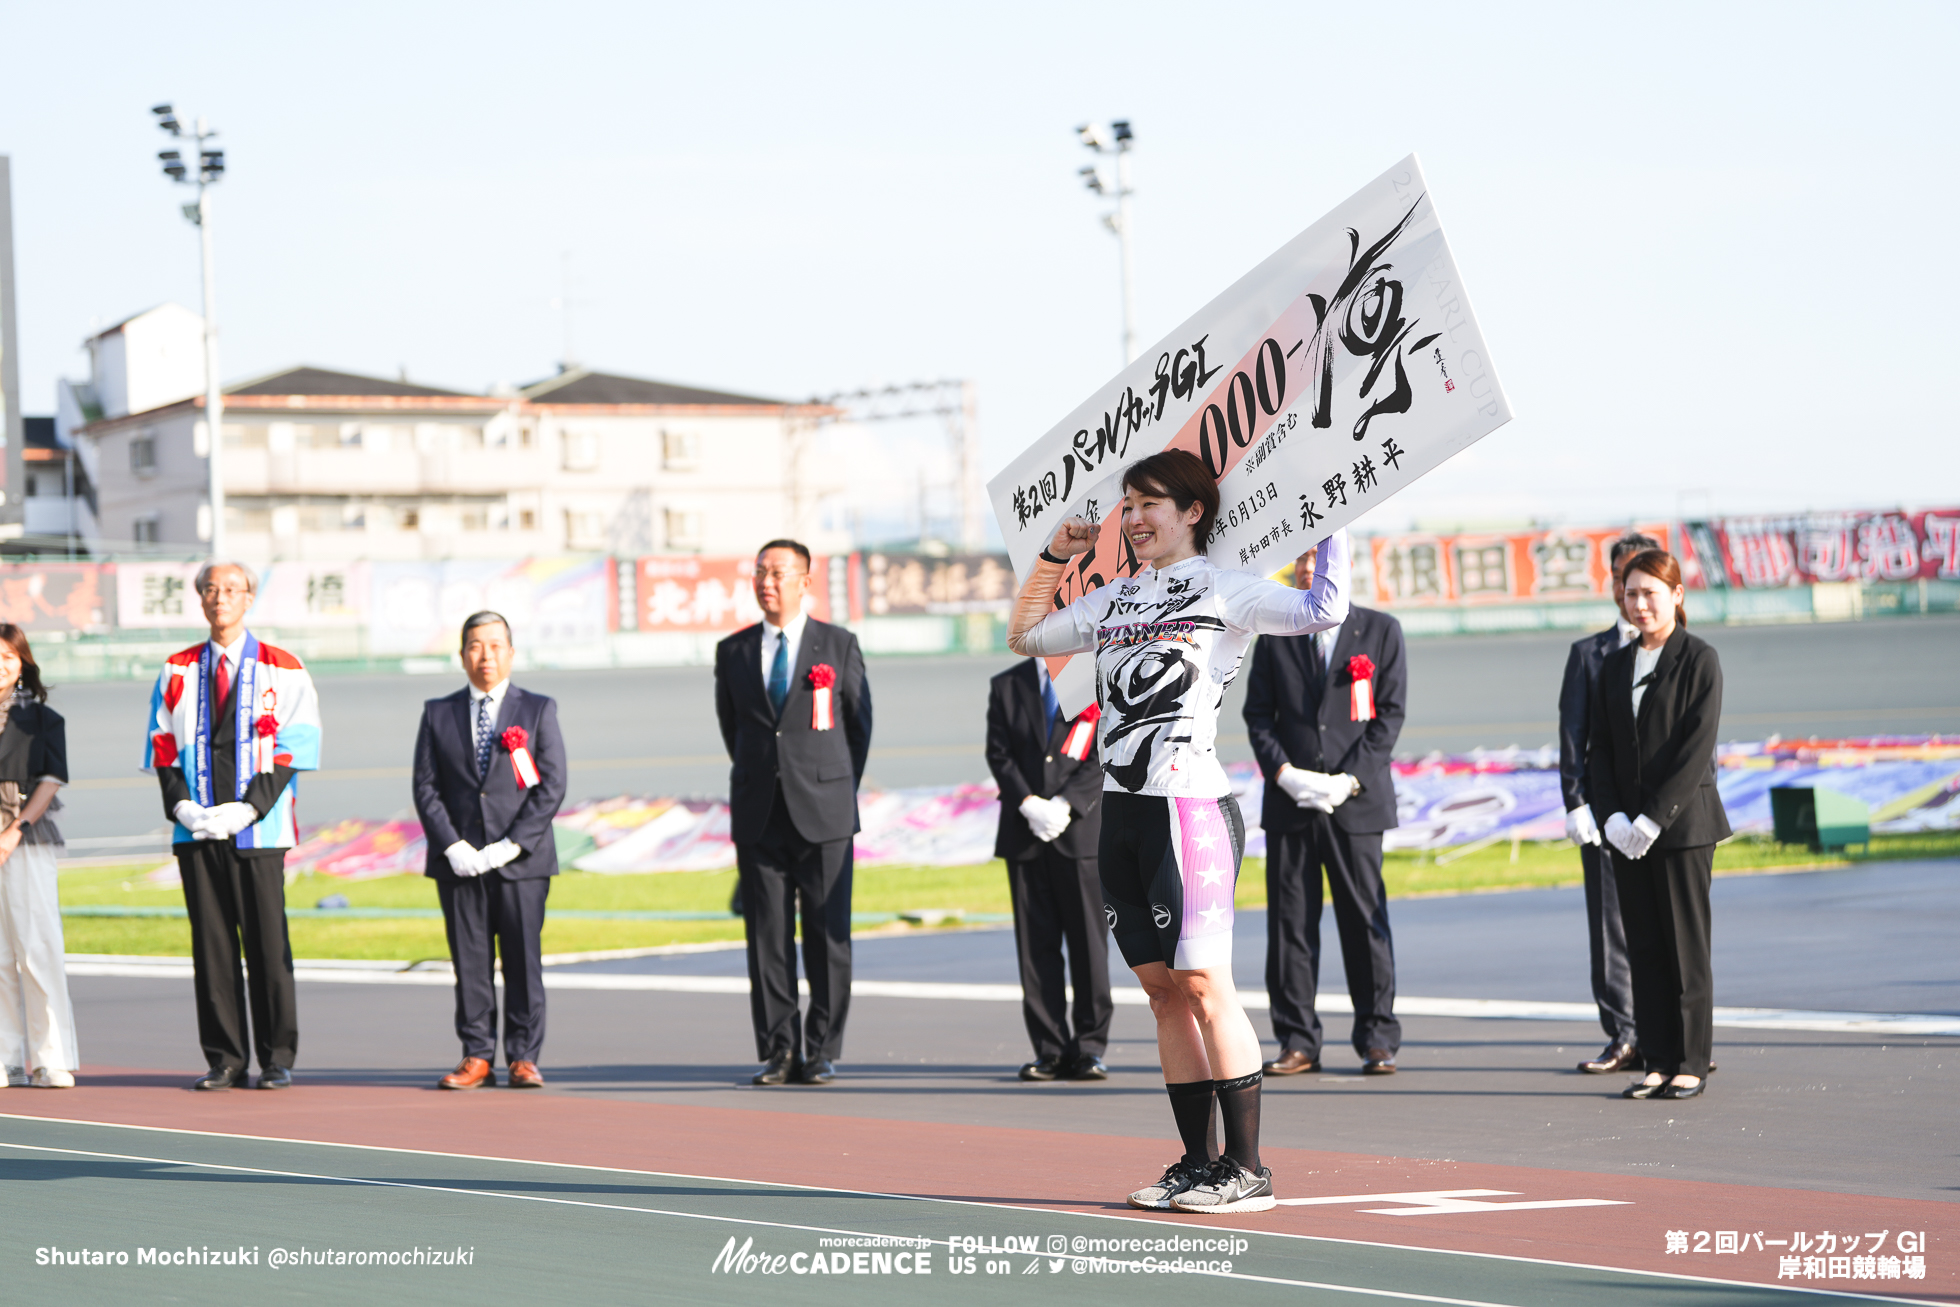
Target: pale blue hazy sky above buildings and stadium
(1698, 238)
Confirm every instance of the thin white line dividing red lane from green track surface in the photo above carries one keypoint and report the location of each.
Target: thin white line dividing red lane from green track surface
(957, 1202)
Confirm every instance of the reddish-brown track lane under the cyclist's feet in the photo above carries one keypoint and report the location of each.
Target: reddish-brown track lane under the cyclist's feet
(1038, 1169)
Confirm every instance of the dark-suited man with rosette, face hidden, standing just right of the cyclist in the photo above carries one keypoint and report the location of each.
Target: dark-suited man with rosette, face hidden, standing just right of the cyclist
(1324, 714)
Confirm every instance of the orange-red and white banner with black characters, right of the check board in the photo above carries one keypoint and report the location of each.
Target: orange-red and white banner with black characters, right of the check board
(1428, 569)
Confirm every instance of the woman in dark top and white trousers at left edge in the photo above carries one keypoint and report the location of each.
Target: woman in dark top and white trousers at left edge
(36, 1018)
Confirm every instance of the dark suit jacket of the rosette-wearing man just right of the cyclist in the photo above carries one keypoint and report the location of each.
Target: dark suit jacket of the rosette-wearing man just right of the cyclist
(1293, 722)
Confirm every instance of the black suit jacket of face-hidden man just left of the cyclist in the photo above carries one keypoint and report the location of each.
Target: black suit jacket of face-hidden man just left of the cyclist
(1026, 757)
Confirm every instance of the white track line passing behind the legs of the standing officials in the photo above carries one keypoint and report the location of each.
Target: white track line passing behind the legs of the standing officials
(1126, 996)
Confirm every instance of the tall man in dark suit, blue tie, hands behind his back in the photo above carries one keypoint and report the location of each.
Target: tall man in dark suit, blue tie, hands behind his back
(797, 720)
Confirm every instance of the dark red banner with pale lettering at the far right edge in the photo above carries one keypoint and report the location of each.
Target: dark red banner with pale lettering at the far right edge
(1765, 554)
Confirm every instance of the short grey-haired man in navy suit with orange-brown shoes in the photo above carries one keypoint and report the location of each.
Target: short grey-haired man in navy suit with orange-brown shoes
(489, 781)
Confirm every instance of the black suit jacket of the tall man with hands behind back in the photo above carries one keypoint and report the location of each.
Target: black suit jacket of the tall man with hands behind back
(818, 771)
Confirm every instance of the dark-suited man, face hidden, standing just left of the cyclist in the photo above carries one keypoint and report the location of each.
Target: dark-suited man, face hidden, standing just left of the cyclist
(1050, 775)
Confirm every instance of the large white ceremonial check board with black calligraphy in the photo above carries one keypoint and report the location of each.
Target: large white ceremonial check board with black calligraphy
(1330, 377)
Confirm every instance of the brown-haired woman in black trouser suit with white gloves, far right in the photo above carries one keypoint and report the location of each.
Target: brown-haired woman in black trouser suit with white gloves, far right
(1651, 765)
